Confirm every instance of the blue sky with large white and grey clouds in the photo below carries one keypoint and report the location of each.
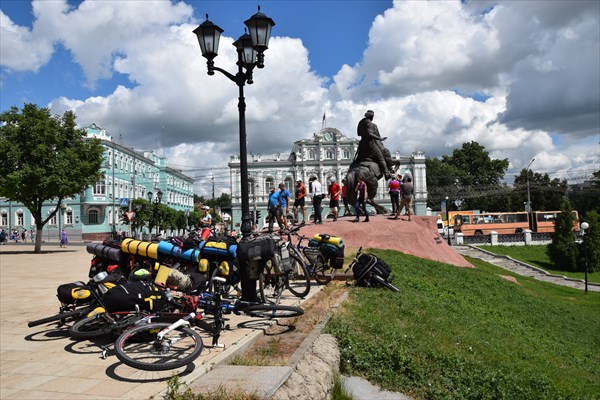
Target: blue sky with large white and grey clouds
(521, 78)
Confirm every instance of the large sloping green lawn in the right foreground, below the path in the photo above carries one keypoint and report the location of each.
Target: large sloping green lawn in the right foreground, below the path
(469, 333)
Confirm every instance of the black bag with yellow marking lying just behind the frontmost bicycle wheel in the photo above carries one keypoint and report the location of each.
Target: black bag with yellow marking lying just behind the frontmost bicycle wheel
(133, 296)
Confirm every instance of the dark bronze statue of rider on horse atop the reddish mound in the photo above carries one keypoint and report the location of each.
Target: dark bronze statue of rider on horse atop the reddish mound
(372, 162)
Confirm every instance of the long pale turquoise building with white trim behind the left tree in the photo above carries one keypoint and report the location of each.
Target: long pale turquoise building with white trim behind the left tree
(95, 213)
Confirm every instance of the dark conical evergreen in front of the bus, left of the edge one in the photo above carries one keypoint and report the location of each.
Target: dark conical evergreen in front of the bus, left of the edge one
(563, 250)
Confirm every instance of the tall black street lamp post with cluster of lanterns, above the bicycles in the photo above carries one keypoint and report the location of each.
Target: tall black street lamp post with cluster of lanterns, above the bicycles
(250, 49)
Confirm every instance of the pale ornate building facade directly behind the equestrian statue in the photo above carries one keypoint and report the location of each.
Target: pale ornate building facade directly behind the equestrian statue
(328, 154)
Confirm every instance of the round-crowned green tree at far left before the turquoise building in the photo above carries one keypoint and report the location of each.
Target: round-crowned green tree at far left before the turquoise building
(45, 158)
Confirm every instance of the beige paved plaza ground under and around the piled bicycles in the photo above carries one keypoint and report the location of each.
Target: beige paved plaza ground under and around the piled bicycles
(44, 363)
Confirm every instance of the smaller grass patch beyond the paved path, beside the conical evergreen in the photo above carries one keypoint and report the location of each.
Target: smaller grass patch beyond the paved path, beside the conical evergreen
(536, 256)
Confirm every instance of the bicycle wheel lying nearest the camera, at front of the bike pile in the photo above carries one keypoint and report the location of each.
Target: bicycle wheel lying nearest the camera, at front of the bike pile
(140, 347)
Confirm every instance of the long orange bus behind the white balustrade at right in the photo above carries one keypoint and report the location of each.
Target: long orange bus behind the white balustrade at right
(508, 223)
